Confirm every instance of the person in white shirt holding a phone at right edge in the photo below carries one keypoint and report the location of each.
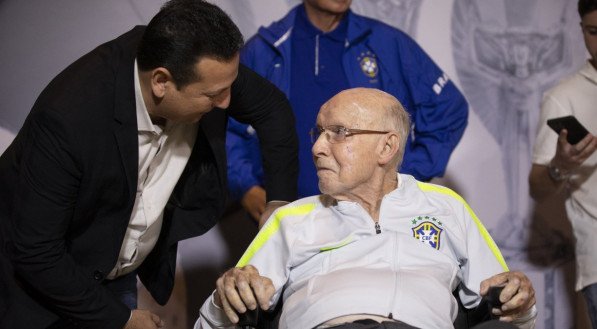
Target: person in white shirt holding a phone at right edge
(571, 169)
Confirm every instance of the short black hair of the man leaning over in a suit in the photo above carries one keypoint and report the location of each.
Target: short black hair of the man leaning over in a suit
(183, 32)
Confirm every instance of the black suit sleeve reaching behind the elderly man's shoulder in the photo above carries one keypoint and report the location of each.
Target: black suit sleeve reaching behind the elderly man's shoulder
(259, 103)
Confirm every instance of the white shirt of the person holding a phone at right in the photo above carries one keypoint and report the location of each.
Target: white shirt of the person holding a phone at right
(575, 96)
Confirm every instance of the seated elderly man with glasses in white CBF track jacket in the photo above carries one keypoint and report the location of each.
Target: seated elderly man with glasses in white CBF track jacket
(376, 246)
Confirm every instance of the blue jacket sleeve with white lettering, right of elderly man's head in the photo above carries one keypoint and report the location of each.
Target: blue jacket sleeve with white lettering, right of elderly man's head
(439, 116)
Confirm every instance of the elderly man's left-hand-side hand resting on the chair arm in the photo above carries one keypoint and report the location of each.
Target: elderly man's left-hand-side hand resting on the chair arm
(243, 288)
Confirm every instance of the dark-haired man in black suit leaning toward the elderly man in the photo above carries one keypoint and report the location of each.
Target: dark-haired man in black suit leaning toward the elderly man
(120, 158)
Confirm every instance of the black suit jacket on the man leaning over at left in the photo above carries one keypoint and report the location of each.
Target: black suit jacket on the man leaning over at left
(68, 182)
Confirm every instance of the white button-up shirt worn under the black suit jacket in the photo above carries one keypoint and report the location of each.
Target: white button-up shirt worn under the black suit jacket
(163, 155)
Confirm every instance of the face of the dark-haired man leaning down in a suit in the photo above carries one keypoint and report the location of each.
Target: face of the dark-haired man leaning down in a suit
(192, 101)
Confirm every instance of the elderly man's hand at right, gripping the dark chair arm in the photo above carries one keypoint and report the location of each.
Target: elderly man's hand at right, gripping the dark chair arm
(518, 295)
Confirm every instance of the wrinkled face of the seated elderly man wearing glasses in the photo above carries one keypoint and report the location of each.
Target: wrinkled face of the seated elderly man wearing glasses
(344, 169)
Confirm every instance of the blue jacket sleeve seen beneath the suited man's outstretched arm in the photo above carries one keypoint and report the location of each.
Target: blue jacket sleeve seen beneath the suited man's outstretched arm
(243, 159)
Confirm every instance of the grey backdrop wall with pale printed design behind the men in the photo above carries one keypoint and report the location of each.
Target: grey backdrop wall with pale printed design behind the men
(503, 54)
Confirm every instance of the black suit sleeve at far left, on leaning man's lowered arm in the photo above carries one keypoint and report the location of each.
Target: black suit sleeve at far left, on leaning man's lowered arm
(45, 200)
